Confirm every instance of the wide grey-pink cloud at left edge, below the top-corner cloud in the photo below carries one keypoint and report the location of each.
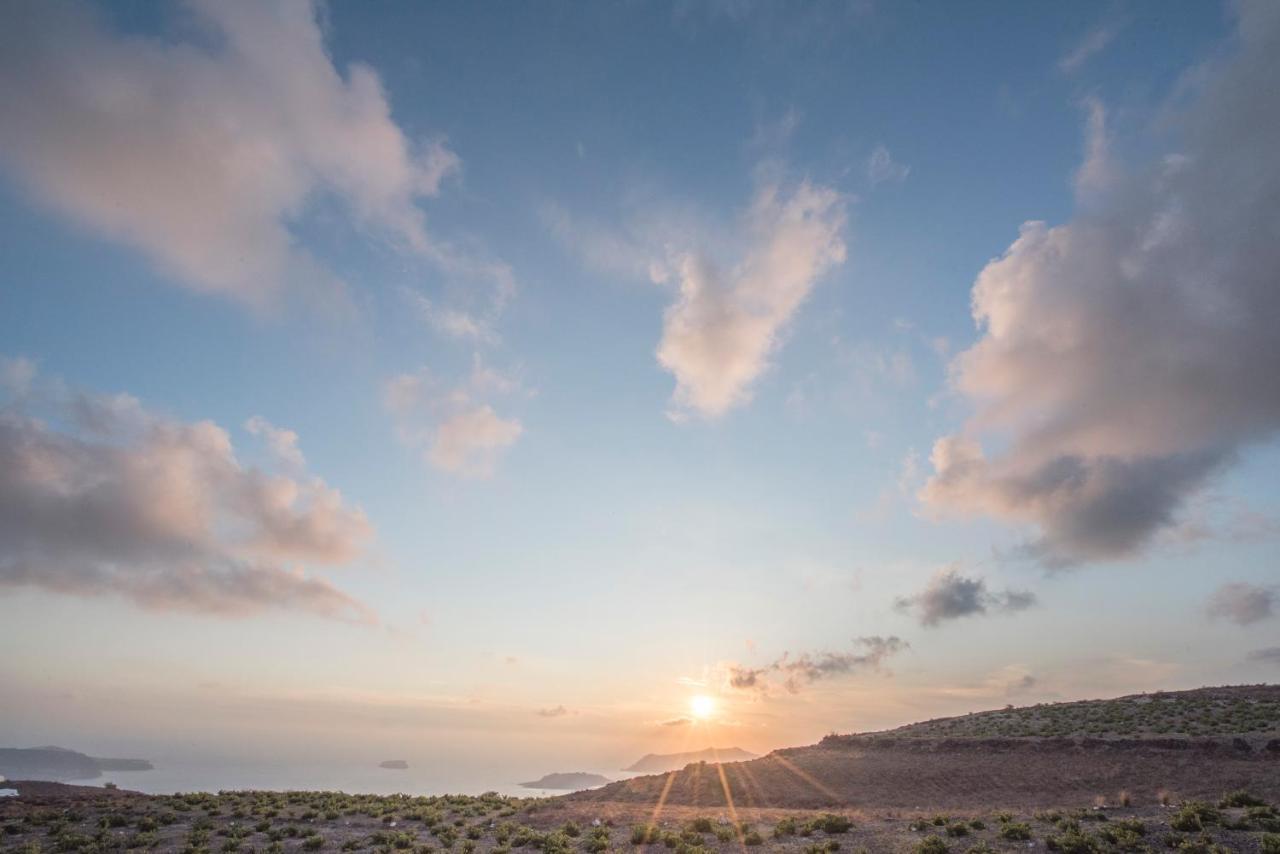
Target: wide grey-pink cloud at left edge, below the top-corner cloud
(104, 497)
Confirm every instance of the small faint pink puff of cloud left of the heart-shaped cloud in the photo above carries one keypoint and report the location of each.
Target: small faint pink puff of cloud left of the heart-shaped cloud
(455, 428)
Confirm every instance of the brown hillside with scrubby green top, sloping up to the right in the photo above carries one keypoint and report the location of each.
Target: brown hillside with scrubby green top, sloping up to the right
(1195, 745)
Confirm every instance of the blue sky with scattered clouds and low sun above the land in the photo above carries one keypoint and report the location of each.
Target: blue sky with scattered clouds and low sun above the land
(484, 381)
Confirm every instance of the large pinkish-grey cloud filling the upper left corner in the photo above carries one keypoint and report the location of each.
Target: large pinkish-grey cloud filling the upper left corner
(202, 152)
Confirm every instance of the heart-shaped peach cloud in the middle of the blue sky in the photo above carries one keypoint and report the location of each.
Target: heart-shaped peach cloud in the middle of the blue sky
(720, 335)
